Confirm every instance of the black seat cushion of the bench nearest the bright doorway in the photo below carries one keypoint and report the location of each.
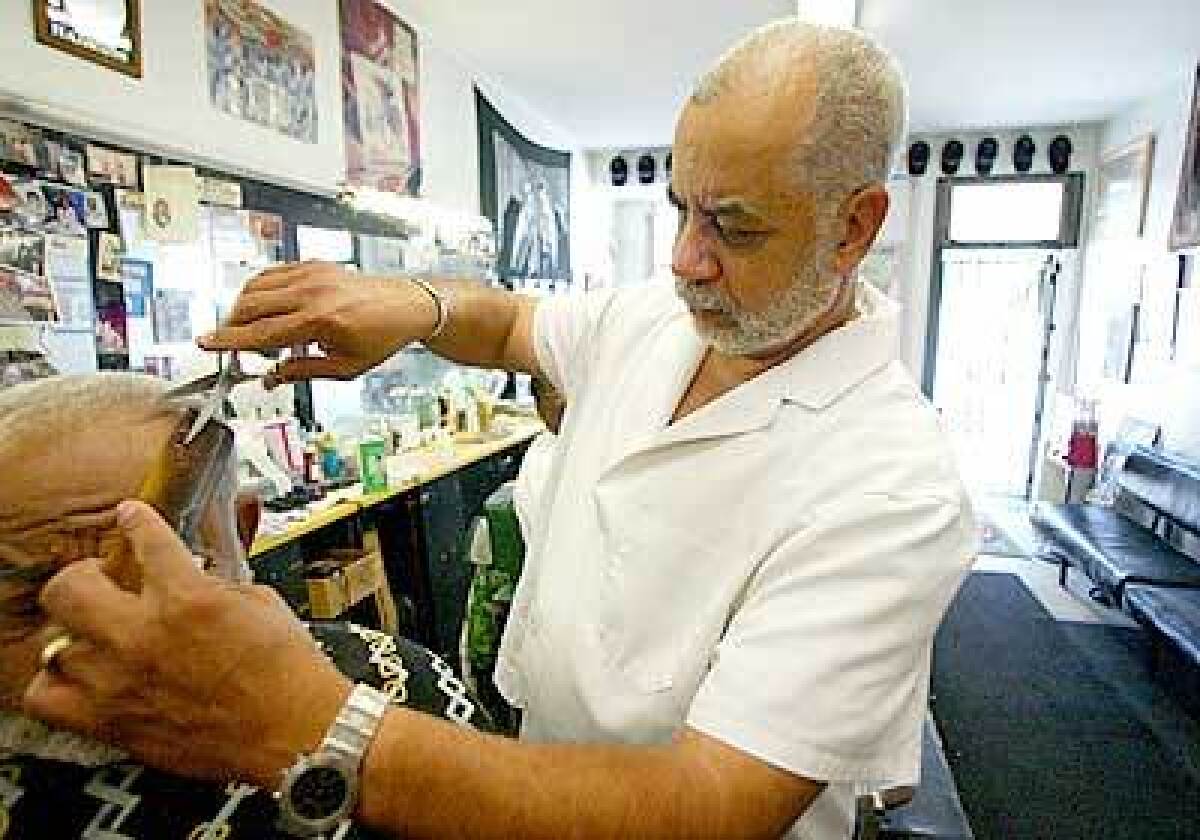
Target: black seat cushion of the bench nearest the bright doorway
(1109, 549)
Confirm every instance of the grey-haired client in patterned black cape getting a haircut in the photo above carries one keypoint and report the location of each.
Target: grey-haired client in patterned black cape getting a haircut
(71, 449)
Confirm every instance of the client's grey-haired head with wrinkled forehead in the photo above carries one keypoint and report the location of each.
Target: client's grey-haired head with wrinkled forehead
(71, 449)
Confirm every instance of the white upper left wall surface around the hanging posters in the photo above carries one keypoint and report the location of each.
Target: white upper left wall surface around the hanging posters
(169, 110)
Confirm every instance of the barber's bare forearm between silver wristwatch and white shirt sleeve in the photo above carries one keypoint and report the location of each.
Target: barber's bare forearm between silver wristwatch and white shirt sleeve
(429, 781)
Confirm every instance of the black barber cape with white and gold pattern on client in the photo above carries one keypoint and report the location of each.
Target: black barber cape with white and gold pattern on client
(45, 800)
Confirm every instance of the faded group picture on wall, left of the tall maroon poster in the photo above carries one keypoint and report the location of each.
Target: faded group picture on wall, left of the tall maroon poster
(261, 68)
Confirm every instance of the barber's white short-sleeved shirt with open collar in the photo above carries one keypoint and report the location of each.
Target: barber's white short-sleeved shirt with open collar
(770, 571)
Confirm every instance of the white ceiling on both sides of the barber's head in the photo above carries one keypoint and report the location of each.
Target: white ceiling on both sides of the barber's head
(614, 74)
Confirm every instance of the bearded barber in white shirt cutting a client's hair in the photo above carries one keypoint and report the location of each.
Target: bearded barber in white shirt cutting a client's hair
(749, 533)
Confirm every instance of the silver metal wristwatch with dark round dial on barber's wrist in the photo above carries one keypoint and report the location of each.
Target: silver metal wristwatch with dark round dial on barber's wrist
(321, 790)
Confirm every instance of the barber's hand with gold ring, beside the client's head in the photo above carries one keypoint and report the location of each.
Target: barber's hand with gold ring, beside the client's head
(190, 675)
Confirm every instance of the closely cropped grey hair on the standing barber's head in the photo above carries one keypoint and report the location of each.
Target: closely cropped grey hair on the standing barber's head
(860, 116)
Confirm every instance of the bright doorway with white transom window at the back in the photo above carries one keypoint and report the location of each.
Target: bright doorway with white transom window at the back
(1000, 248)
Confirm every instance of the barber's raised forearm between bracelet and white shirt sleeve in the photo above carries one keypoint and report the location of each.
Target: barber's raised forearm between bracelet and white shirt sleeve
(485, 327)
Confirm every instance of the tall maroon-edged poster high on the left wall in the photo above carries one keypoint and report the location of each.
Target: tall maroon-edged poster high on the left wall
(381, 99)
